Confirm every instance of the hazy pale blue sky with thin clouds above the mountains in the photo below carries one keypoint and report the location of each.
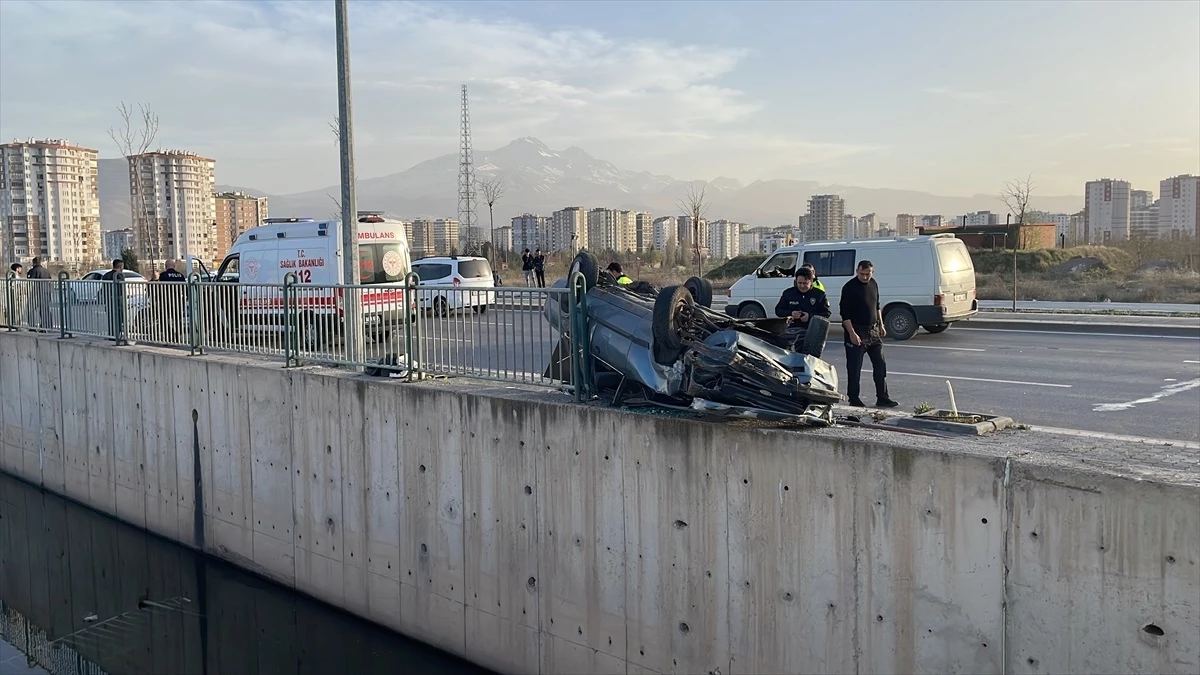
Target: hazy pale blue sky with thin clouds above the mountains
(946, 98)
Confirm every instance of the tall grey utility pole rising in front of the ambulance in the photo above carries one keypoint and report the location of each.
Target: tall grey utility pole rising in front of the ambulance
(353, 302)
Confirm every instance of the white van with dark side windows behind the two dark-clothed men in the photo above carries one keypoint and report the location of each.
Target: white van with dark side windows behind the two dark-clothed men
(925, 282)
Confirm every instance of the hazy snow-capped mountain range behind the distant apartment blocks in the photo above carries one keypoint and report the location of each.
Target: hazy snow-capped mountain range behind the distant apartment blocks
(543, 181)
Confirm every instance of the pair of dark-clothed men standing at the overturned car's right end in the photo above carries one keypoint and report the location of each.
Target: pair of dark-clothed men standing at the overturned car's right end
(862, 325)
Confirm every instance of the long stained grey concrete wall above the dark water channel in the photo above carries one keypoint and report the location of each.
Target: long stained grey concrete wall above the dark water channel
(531, 535)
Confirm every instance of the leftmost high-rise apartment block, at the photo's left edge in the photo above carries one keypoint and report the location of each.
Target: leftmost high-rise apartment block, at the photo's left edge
(50, 206)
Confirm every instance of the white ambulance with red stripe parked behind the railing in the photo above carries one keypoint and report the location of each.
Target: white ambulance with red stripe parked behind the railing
(262, 260)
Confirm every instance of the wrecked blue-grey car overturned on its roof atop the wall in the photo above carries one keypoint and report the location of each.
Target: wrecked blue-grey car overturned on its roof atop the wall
(669, 348)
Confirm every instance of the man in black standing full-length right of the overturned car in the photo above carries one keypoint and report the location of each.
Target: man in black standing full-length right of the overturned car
(863, 325)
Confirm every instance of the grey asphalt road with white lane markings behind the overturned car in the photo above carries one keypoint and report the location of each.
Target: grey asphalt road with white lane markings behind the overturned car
(1127, 385)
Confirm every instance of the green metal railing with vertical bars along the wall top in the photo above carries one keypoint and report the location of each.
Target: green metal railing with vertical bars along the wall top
(407, 330)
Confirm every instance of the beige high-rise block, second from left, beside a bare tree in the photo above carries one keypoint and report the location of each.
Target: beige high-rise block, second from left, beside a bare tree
(175, 208)
